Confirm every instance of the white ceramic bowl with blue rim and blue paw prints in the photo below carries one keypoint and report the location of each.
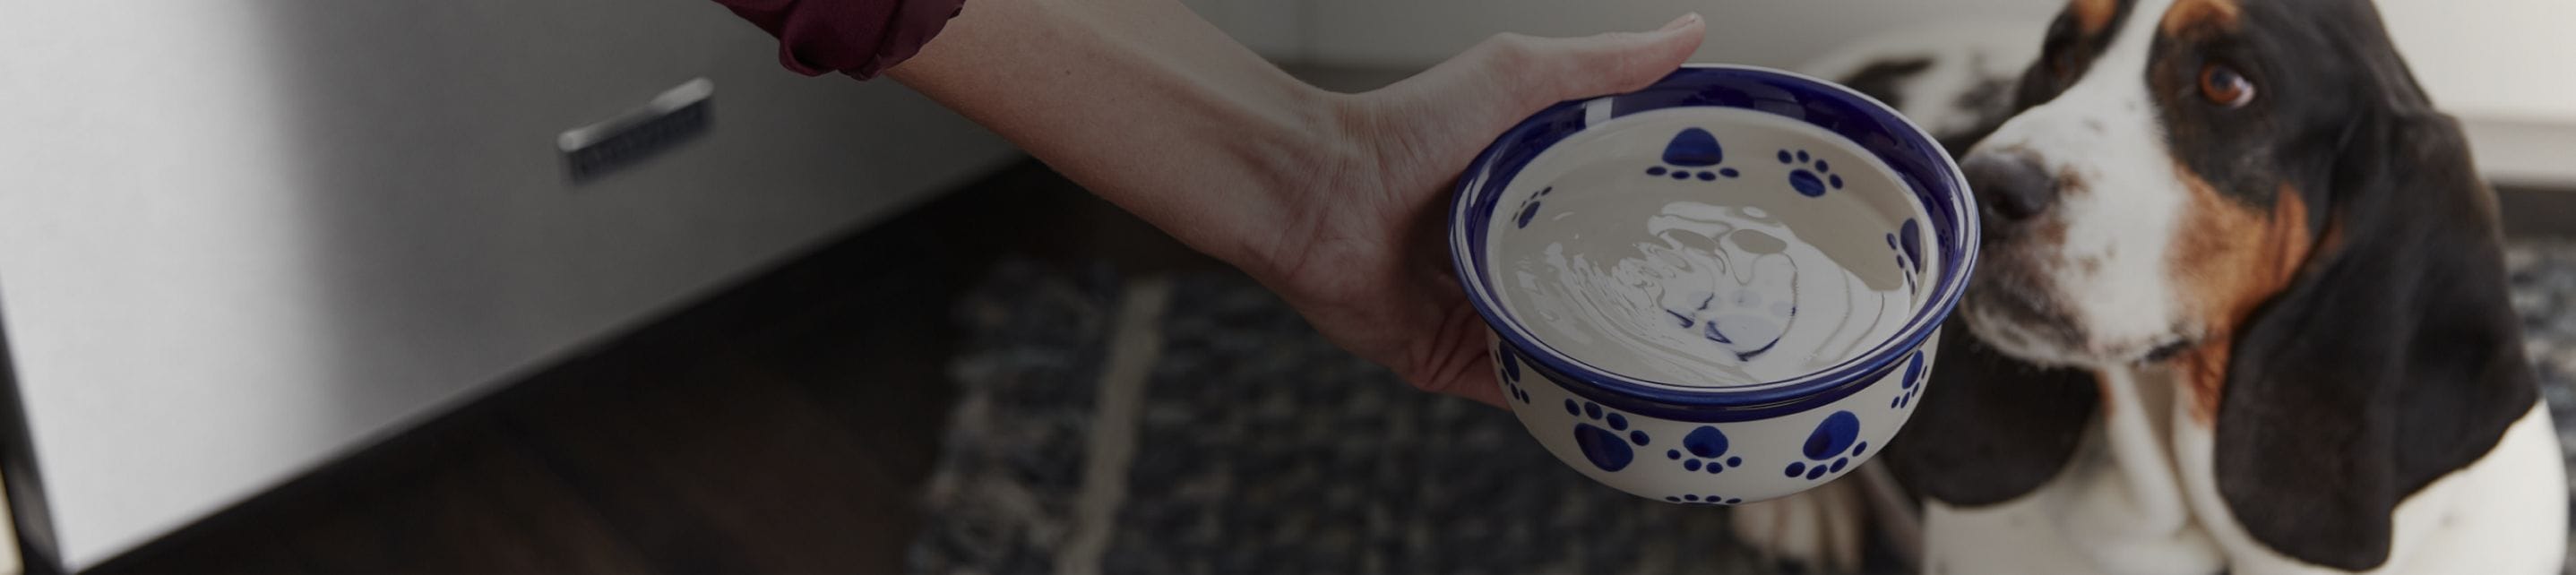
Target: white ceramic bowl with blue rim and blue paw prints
(1727, 442)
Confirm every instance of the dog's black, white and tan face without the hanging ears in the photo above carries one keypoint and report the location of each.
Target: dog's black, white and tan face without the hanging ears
(2170, 169)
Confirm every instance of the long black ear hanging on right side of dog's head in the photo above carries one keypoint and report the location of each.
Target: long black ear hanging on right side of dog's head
(2392, 360)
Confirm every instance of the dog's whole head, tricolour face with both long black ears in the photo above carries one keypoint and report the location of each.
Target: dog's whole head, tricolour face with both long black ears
(2260, 197)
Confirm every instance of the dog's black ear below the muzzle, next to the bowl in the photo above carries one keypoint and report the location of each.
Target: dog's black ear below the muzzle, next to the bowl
(1990, 429)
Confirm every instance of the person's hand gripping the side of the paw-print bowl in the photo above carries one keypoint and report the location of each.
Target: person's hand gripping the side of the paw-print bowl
(1364, 246)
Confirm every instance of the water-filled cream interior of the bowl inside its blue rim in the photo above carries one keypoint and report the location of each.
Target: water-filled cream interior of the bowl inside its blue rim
(1709, 249)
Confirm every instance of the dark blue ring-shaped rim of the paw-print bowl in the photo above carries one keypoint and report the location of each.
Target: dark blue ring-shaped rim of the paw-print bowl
(1902, 146)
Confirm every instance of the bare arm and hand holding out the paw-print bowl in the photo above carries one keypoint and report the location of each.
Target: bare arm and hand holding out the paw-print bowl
(1328, 200)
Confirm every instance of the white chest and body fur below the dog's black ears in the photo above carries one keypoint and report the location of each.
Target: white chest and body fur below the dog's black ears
(2503, 514)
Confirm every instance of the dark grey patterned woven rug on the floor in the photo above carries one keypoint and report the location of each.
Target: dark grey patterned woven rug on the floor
(1227, 437)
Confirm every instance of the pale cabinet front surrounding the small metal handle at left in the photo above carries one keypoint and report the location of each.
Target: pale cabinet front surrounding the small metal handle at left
(238, 239)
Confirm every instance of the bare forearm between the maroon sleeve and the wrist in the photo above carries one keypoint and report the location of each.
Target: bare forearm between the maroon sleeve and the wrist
(1142, 104)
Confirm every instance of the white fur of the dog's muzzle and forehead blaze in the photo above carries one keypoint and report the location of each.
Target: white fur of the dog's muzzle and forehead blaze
(2124, 215)
